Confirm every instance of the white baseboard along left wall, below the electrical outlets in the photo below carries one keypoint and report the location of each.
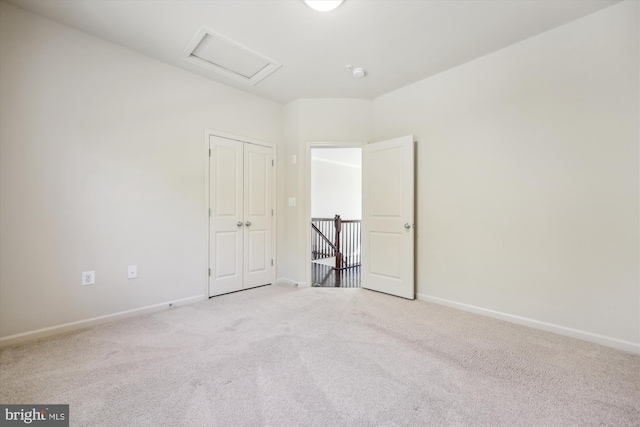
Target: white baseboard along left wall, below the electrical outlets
(81, 324)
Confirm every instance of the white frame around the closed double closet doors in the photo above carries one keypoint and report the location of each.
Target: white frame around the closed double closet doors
(207, 169)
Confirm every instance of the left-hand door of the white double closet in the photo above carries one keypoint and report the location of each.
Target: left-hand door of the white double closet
(226, 223)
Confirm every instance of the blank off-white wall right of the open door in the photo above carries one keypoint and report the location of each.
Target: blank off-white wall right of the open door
(528, 178)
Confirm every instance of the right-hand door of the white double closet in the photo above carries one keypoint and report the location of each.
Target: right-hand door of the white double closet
(257, 215)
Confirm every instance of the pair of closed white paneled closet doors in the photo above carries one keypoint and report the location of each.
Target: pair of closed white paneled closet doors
(240, 223)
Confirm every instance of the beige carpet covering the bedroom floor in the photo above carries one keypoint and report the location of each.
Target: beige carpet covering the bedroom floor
(284, 356)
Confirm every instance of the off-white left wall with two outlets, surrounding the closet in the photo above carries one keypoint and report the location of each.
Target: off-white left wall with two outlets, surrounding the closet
(102, 166)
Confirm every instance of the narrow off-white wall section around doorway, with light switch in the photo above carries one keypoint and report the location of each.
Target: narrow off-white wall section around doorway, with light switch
(307, 121)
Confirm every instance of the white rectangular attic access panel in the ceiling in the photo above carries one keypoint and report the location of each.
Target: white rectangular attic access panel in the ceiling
(217, 53)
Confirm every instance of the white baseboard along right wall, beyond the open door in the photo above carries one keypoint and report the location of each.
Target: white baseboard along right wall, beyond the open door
(537, 324)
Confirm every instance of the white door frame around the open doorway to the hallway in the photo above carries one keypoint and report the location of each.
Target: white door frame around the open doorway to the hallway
(305, 195)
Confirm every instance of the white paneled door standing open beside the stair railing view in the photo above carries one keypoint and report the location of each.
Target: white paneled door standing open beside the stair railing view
(387, 217)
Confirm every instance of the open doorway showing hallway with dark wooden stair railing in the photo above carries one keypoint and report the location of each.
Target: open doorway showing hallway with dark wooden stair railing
(336, 215)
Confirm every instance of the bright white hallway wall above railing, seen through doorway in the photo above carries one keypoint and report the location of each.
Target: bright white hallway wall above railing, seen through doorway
(336, 183)
